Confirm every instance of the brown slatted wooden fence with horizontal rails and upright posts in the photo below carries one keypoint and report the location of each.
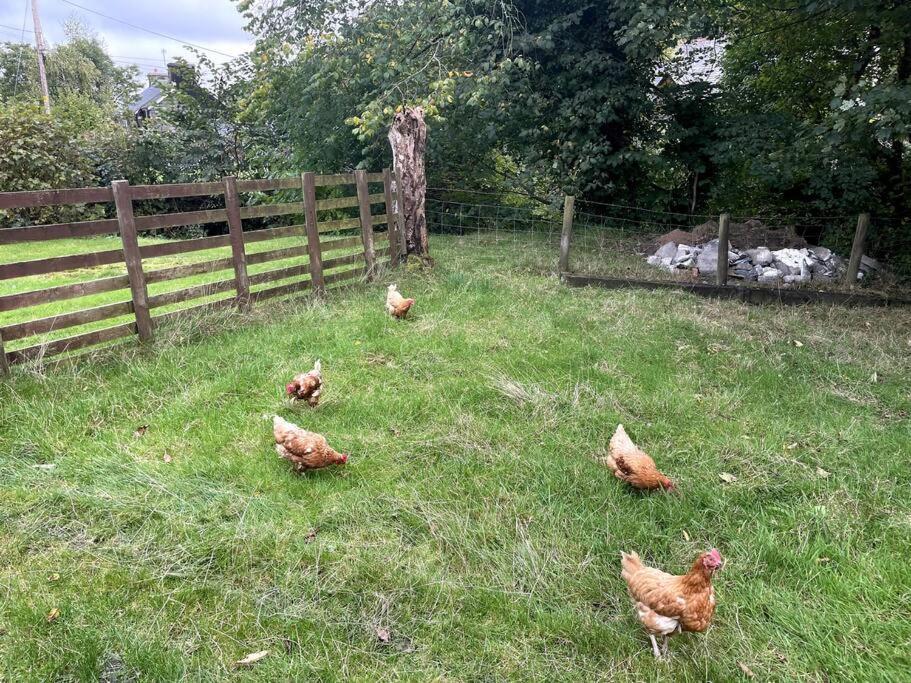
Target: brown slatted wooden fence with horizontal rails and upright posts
(315, 239)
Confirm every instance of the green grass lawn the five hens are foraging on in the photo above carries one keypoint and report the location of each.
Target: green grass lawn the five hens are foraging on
(472, 524)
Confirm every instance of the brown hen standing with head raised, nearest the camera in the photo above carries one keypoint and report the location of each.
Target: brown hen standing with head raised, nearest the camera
(667, 603)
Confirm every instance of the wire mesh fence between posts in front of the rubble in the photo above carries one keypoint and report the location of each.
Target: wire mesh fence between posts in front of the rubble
(621, 241)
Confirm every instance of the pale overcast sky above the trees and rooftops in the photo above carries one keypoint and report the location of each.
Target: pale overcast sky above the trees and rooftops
(214, 24)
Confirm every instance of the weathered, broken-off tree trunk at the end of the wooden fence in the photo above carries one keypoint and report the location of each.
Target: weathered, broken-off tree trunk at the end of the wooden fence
(408, 138)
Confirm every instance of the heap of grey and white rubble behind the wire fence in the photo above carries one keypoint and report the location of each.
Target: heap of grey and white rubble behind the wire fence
(794, 261)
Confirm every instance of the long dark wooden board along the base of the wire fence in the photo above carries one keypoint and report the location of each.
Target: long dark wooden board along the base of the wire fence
(752, 295)
